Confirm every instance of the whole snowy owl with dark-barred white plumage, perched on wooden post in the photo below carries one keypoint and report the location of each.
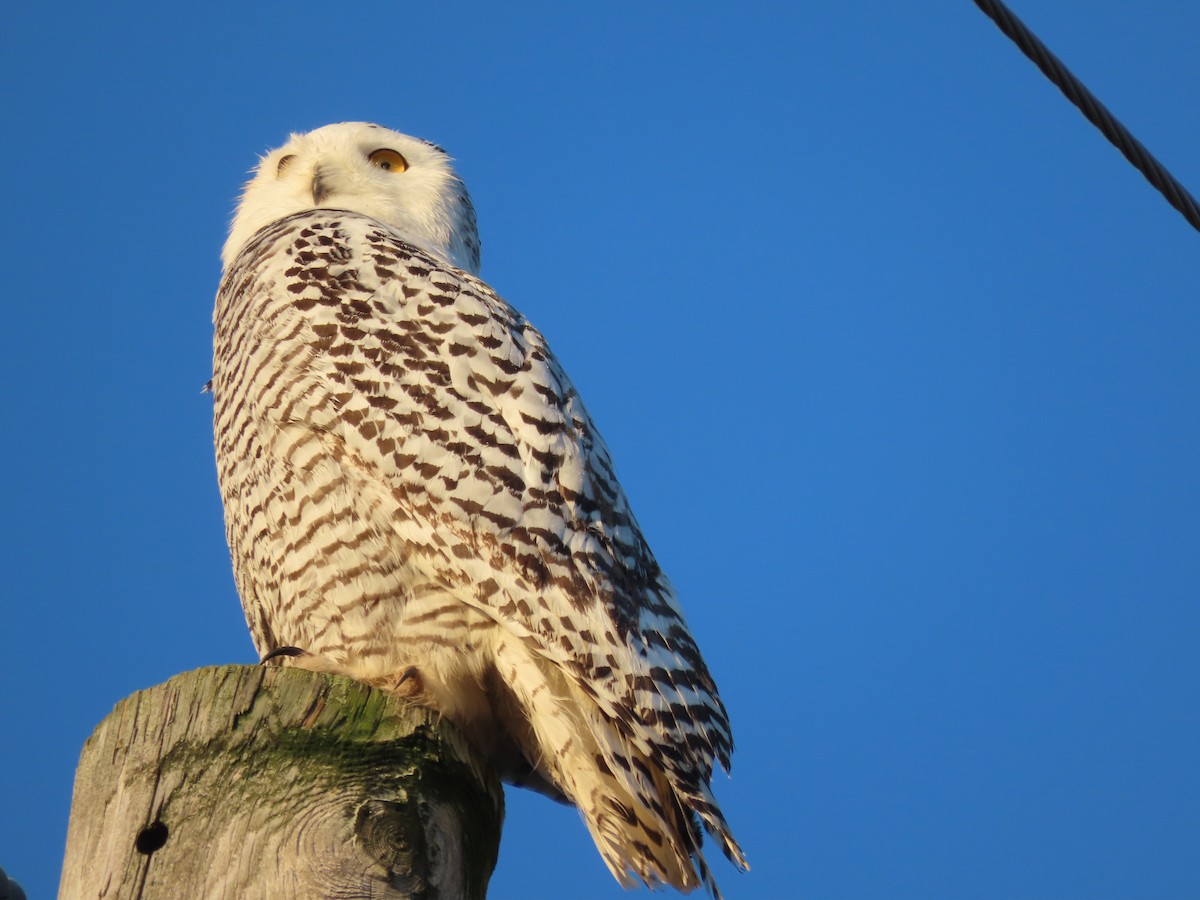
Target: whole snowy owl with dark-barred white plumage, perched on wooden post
(416, 496)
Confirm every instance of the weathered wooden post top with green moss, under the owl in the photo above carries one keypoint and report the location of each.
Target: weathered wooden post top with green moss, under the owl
(250, 782)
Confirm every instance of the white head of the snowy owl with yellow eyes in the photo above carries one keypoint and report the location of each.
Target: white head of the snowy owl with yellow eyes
(403, 182)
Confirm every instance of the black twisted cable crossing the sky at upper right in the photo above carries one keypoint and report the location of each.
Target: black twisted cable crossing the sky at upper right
(1075, 91)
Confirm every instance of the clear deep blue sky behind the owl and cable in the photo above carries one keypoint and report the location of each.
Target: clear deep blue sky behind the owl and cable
(896, 355)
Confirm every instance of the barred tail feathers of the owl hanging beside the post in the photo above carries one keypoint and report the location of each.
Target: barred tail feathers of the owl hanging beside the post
(646, 827)
